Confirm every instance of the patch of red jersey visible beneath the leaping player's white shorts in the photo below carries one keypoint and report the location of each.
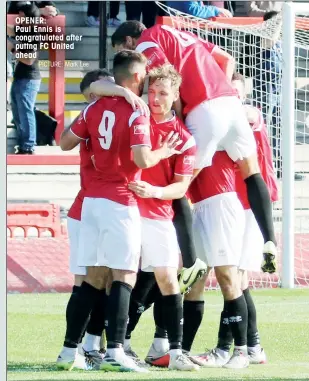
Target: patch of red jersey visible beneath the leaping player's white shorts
(214, 180)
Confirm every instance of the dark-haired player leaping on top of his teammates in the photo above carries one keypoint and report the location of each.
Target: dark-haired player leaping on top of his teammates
(205, 92)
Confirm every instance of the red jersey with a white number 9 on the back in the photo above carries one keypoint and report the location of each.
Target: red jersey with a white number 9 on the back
(113, 129)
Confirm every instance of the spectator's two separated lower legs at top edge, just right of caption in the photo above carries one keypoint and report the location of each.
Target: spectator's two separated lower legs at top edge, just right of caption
(94, 10)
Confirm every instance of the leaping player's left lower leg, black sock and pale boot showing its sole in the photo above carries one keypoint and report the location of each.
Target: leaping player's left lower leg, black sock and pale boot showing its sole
(193, 268)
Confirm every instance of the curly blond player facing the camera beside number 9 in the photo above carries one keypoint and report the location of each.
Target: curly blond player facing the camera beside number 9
(158, 186)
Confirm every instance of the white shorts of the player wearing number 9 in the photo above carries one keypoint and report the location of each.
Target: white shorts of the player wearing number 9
(110, 235)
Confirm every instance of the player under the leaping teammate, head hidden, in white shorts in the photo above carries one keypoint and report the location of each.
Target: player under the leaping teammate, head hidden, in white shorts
(218, 226)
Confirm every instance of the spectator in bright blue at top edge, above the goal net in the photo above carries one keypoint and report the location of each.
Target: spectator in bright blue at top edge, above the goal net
(198, 9)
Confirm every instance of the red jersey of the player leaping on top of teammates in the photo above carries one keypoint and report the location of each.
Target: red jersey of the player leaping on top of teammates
(202, 78)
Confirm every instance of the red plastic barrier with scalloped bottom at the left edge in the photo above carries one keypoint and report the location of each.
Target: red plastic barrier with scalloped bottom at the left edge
(43, 217)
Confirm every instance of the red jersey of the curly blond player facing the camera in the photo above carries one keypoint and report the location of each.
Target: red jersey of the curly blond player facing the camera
(163, 173)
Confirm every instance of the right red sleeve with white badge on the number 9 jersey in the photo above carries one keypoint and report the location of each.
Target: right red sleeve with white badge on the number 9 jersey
(139, 130)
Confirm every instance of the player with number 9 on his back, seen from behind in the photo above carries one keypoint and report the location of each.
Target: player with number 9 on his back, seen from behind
(110, 232)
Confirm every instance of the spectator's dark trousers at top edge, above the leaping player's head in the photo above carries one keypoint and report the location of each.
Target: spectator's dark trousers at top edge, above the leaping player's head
(148, 10)
